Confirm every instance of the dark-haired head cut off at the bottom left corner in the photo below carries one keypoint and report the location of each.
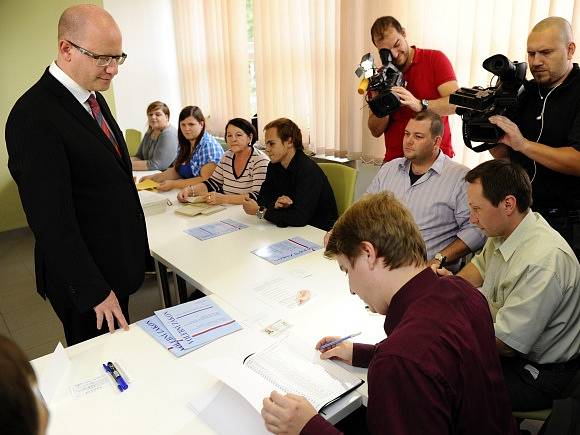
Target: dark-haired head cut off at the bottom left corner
(22, 409)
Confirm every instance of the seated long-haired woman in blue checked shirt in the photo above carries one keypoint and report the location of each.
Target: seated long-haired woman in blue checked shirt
(198, 155)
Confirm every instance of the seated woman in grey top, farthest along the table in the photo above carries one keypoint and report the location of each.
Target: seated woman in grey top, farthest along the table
(158, 148)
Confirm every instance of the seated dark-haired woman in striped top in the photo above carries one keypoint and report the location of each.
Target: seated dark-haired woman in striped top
(241, 171)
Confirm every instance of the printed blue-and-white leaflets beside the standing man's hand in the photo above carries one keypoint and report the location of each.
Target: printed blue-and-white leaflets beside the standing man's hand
(189, 326)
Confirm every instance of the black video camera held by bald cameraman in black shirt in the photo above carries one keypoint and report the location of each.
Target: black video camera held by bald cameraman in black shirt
(477, 104)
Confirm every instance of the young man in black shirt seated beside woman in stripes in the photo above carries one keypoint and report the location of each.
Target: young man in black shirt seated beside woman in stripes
(296, 192)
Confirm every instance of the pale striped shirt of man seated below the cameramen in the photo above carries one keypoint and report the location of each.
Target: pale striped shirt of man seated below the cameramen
(438, 201)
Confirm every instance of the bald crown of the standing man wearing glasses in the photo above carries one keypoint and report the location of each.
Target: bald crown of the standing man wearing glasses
(78, 21)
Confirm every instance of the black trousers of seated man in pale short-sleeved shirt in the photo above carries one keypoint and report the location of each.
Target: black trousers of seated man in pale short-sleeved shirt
(532, 386)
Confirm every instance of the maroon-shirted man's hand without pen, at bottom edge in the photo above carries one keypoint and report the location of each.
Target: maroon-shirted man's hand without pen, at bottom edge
(286, 414)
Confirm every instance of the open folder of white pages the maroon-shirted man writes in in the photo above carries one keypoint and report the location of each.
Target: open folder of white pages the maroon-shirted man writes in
(288, 367)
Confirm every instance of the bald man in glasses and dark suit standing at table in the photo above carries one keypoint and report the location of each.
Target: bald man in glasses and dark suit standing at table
(70, 162)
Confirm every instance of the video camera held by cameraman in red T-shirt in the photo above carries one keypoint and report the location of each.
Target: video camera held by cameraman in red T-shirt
(378, 83)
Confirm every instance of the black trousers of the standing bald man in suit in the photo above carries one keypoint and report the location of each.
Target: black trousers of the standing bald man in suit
(81, 326)
